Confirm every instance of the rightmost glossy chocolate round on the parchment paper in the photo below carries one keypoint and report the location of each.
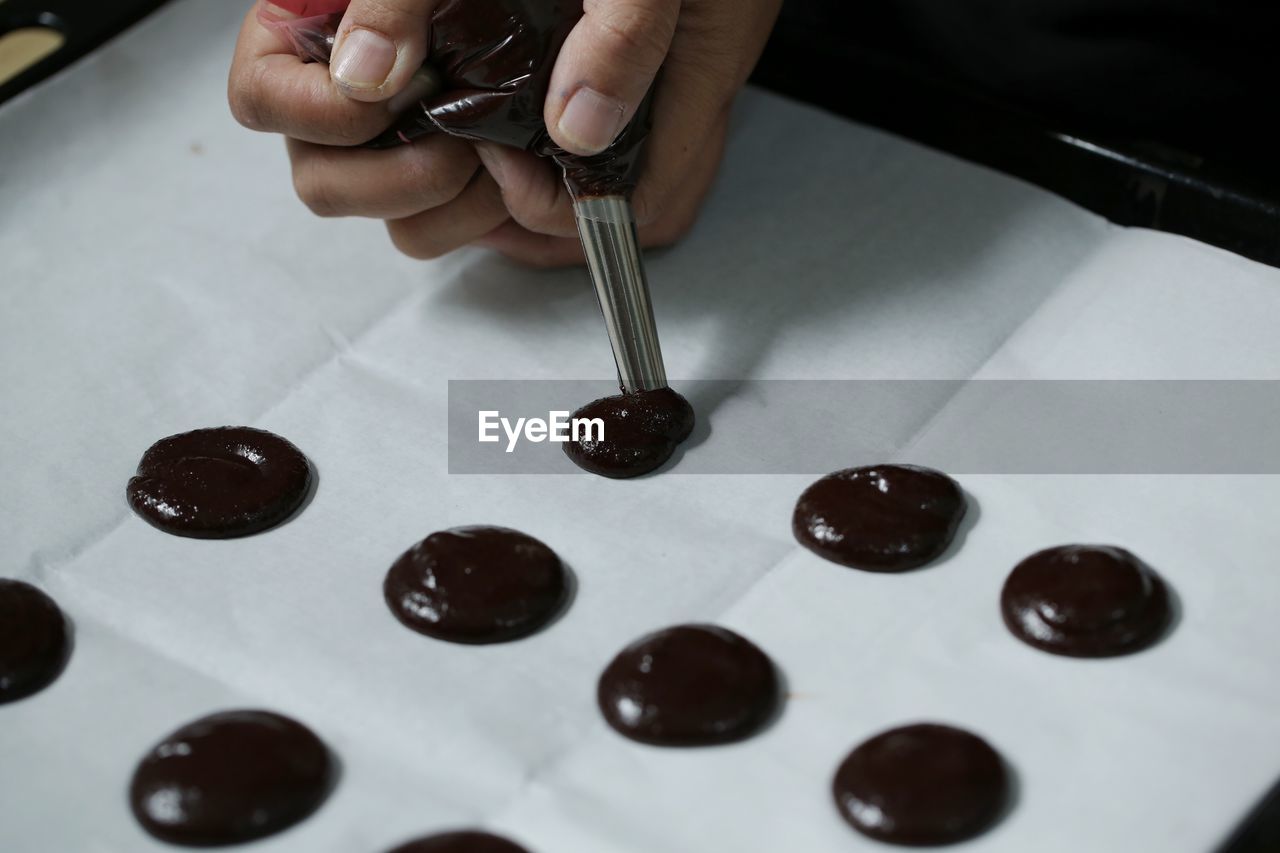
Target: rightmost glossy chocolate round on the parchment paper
(1086, 601)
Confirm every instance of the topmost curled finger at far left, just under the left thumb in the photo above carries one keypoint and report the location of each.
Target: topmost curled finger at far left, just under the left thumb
(272, 90)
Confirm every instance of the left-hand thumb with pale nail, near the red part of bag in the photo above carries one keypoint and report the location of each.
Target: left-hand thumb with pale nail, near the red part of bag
(380, 47)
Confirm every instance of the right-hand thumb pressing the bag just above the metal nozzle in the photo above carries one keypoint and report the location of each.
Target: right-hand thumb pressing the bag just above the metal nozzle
(606, 67)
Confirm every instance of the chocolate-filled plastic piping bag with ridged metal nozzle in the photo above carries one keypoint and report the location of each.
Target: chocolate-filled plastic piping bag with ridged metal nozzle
(488, 70)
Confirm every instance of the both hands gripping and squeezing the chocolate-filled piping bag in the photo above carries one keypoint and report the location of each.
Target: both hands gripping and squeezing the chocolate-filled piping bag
(441, 193)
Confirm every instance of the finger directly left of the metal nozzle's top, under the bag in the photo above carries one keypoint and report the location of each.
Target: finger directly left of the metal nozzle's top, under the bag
(532, 188)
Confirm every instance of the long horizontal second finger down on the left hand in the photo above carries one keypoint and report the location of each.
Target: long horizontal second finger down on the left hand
(392, 184)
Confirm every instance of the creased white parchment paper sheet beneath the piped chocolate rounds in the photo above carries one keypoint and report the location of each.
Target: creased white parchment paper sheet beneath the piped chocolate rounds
(157, 276)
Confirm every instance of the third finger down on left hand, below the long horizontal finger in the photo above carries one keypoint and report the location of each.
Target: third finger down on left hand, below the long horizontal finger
(432, 234)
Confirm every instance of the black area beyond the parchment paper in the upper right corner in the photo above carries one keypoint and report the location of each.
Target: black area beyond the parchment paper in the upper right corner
(1156, 157)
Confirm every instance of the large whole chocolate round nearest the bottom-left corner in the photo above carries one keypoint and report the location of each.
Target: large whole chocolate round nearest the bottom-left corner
(231, 778)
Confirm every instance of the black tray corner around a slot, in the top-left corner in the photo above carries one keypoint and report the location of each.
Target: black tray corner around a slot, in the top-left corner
(84, 24)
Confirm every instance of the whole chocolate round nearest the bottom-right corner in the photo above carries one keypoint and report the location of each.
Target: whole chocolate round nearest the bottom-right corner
(921, 786)
